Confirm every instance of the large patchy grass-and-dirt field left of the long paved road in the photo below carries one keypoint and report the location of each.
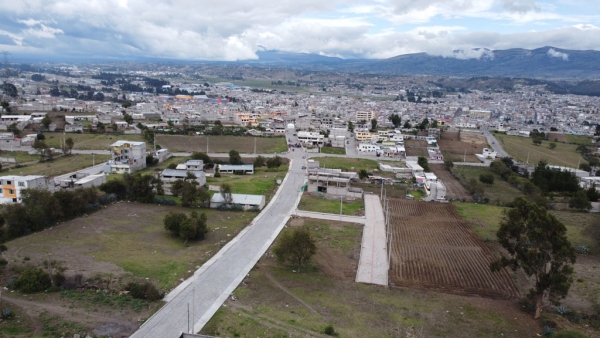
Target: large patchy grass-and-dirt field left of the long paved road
(122, 242)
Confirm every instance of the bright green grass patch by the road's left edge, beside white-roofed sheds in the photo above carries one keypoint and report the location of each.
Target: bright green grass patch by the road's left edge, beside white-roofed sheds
(263, 182)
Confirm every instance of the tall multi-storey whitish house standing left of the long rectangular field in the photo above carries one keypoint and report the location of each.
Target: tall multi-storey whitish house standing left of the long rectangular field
(127, 157)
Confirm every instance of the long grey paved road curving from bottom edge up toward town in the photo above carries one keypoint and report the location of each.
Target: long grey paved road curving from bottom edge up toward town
(210, 286)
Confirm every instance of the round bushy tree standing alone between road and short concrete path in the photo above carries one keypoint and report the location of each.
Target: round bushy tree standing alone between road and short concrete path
(295, 246)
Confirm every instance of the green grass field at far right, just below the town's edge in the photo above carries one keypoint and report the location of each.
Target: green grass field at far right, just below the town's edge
(522, 147)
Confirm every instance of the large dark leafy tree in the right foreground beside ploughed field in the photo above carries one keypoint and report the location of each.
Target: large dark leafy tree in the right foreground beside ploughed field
(537, 243)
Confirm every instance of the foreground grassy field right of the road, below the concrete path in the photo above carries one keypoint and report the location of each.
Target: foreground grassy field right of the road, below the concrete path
(276, 301)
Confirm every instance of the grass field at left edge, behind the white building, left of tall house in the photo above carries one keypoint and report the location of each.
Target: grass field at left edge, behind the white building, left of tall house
(58, 166)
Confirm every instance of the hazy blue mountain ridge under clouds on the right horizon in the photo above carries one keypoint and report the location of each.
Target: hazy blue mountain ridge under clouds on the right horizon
(546, 62)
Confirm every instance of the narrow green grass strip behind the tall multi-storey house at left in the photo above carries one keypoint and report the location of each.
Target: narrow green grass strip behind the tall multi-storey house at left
(89, 141)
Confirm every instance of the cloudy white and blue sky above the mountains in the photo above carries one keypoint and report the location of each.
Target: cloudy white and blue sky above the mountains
(233, 30)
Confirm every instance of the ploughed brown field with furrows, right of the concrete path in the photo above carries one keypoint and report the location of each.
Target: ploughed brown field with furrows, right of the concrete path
(433, 248)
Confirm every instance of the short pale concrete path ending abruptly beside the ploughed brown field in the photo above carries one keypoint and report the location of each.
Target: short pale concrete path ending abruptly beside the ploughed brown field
(373, 265)
